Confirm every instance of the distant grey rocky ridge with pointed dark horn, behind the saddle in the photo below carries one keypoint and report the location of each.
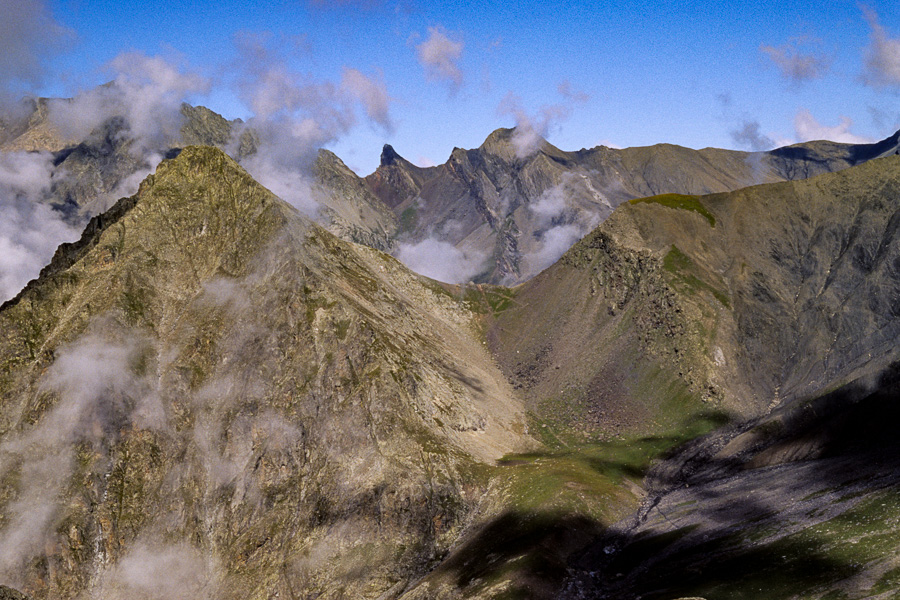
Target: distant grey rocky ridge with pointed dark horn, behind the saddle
(520, 213)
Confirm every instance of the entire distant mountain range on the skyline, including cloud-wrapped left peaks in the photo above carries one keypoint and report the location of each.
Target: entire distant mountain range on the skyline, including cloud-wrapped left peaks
(510, 216)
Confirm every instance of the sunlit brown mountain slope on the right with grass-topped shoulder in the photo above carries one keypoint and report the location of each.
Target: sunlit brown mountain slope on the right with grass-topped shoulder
(767, 294)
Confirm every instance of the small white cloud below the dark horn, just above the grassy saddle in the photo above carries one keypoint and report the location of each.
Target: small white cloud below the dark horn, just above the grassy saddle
(441, 260)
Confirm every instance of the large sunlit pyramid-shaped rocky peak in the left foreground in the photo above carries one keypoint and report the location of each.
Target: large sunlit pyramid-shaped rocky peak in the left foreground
(210, 393)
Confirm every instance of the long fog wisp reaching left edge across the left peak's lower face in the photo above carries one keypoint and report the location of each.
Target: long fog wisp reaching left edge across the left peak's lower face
(99, 396)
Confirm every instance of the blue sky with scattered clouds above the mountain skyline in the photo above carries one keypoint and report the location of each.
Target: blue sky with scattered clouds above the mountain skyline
(426, 77)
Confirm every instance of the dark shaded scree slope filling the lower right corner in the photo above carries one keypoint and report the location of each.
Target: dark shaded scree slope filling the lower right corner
(741, 527)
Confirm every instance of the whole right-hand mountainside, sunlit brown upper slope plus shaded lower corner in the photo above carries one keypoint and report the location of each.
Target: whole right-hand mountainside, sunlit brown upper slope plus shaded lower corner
(775, 306)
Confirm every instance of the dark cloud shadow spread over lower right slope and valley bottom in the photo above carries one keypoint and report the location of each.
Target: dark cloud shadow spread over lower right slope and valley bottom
(719, 527)
